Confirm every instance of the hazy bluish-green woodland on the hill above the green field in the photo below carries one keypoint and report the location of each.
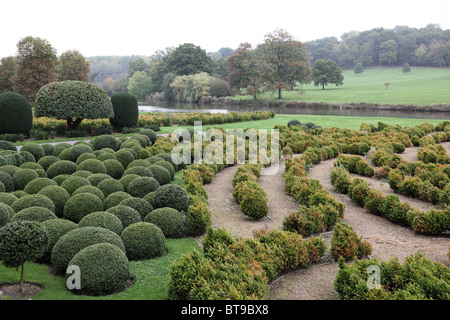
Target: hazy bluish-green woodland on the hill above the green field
(428, 47)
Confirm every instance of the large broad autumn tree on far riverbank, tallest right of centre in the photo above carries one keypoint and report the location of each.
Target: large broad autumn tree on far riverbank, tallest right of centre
(285, 61)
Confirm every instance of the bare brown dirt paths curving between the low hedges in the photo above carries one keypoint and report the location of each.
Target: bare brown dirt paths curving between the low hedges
(316, 283)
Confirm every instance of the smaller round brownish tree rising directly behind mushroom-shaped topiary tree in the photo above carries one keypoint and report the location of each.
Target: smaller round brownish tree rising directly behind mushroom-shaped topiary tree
(72, 65)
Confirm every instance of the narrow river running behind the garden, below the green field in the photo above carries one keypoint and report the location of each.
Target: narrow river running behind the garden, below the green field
(177, 107)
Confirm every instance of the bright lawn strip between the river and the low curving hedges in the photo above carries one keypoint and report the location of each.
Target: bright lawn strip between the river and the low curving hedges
(324, 121)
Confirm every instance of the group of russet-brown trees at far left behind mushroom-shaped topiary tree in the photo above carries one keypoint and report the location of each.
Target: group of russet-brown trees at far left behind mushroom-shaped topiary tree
(36, 64)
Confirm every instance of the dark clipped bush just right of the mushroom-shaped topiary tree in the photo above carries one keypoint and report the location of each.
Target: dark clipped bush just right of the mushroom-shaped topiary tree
(126, 110)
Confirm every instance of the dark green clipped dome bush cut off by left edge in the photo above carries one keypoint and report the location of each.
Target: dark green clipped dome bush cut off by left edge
(16, 113)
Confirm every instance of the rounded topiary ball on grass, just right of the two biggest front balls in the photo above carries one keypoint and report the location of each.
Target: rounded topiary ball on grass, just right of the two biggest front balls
(143, 240)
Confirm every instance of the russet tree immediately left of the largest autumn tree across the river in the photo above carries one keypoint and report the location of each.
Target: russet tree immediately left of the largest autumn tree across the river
(243, 71)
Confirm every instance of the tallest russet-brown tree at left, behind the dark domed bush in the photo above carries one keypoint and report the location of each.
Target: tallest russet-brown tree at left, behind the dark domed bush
(37, 61)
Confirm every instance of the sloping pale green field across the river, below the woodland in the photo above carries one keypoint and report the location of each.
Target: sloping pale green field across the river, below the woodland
(421, 86)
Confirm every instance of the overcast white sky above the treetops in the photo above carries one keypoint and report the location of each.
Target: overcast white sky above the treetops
(136, 27)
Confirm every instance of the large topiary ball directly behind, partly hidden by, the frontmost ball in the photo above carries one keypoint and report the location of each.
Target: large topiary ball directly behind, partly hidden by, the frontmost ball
(73, 241)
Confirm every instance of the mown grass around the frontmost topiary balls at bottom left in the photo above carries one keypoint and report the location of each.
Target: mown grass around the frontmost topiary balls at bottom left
(151, 277)
